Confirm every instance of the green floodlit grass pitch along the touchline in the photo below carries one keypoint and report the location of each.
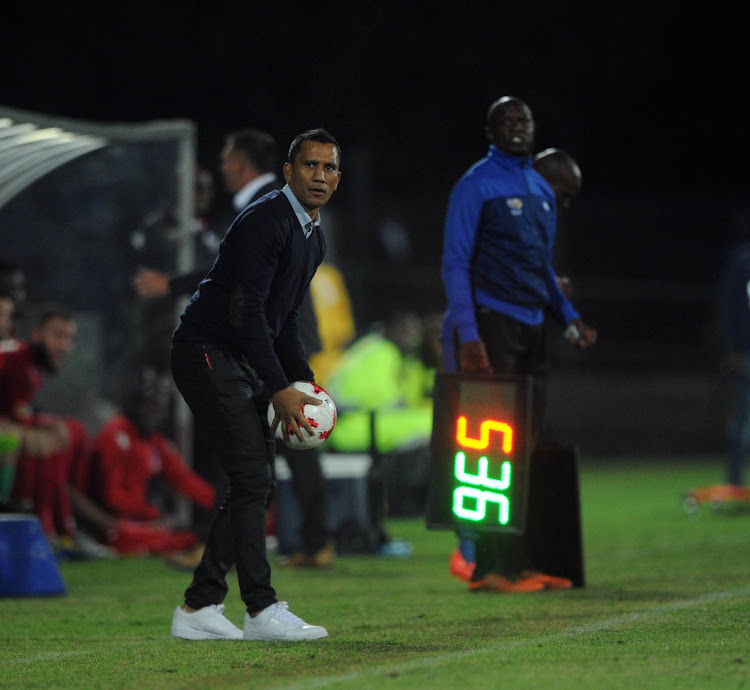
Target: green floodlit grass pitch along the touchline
(666, 605)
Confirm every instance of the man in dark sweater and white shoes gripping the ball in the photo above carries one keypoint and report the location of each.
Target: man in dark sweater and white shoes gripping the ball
(237, 346)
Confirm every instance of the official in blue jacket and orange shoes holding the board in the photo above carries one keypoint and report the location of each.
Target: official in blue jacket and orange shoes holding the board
(499, 281)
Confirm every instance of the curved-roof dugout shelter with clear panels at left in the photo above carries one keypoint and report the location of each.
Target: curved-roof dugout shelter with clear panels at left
(82, 205)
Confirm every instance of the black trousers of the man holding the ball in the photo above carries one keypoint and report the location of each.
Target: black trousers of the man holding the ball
(220, 388)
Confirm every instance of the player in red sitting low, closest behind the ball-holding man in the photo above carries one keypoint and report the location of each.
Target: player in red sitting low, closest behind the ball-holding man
(133, 469)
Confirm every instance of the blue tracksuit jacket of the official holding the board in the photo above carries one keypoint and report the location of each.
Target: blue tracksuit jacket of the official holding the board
(497, 253)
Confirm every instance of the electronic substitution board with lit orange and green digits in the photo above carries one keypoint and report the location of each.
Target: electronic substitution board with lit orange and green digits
(479, 464)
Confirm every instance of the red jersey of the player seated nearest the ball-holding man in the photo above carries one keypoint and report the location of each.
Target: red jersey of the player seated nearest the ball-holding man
(124, 463)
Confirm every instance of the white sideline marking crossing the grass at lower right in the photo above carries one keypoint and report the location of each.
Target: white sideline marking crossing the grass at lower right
(436, 660)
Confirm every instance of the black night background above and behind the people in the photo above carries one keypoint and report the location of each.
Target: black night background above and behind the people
(646, 96)
